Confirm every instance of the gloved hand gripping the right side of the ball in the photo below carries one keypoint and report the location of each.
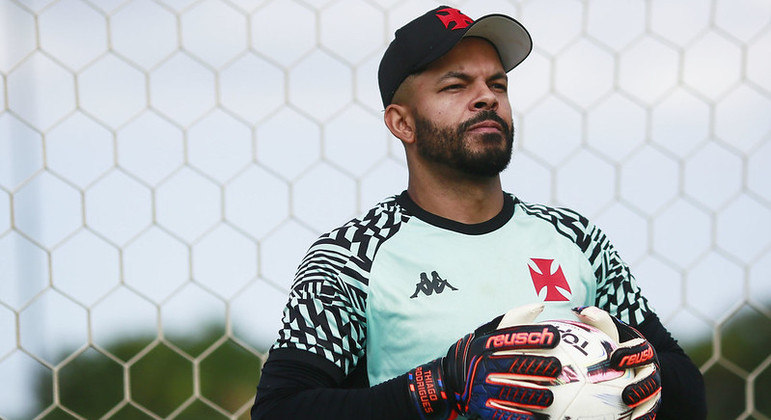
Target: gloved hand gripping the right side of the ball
(634, 352)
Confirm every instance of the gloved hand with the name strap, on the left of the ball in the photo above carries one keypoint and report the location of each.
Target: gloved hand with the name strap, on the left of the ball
(475, 379)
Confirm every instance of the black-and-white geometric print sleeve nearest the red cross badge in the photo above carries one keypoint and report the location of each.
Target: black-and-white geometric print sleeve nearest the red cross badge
(617, 290)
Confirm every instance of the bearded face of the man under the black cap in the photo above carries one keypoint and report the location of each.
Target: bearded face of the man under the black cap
(462, 111)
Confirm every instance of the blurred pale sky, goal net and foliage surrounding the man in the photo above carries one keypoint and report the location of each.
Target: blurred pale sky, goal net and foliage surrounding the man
(164, 164)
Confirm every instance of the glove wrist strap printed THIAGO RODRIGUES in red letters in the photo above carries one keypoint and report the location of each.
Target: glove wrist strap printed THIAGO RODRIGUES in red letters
(428, 393)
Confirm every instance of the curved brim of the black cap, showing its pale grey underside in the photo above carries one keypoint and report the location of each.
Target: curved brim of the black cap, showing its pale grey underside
(510, 38)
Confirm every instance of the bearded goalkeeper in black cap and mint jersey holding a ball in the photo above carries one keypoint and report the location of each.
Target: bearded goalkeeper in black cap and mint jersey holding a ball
(377, 302)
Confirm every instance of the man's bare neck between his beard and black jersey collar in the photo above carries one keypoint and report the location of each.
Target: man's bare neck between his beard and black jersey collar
(465, 200)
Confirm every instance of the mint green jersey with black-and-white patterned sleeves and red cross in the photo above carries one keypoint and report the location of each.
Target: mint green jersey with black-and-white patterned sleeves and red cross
(397, 286)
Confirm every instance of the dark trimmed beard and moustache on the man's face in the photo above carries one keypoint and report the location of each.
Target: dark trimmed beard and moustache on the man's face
(447, 146)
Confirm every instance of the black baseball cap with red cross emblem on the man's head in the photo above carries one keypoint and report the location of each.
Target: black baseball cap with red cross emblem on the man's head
(430, 36)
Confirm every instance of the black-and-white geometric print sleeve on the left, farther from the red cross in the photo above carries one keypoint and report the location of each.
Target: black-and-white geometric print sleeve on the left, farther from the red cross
(325, 312)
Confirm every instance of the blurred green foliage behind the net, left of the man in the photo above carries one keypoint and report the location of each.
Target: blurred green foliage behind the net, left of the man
(141, 375)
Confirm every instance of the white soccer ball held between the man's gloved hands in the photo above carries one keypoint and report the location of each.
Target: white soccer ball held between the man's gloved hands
(587, 388)
